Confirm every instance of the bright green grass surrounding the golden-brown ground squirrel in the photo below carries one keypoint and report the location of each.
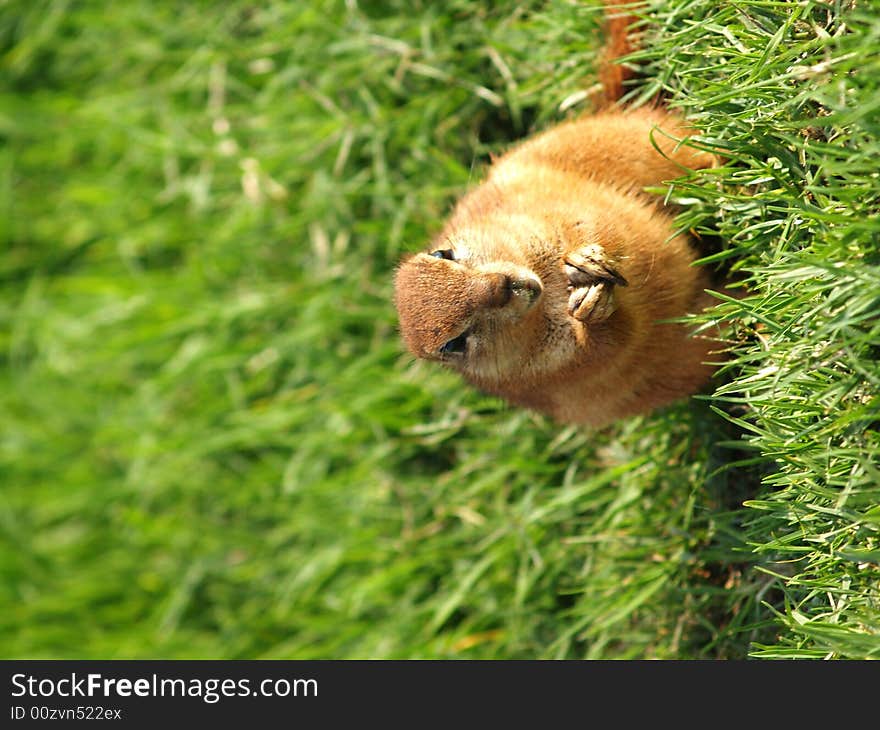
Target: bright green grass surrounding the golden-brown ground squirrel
(212, 443)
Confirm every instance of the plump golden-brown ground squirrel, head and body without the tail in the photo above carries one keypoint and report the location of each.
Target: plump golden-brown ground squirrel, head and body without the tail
(551, 282)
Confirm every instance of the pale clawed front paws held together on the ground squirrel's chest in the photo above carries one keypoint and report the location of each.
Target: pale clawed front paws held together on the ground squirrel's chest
(591, 281)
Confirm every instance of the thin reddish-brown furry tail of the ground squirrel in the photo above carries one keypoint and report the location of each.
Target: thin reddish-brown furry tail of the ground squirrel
(620, 17)
